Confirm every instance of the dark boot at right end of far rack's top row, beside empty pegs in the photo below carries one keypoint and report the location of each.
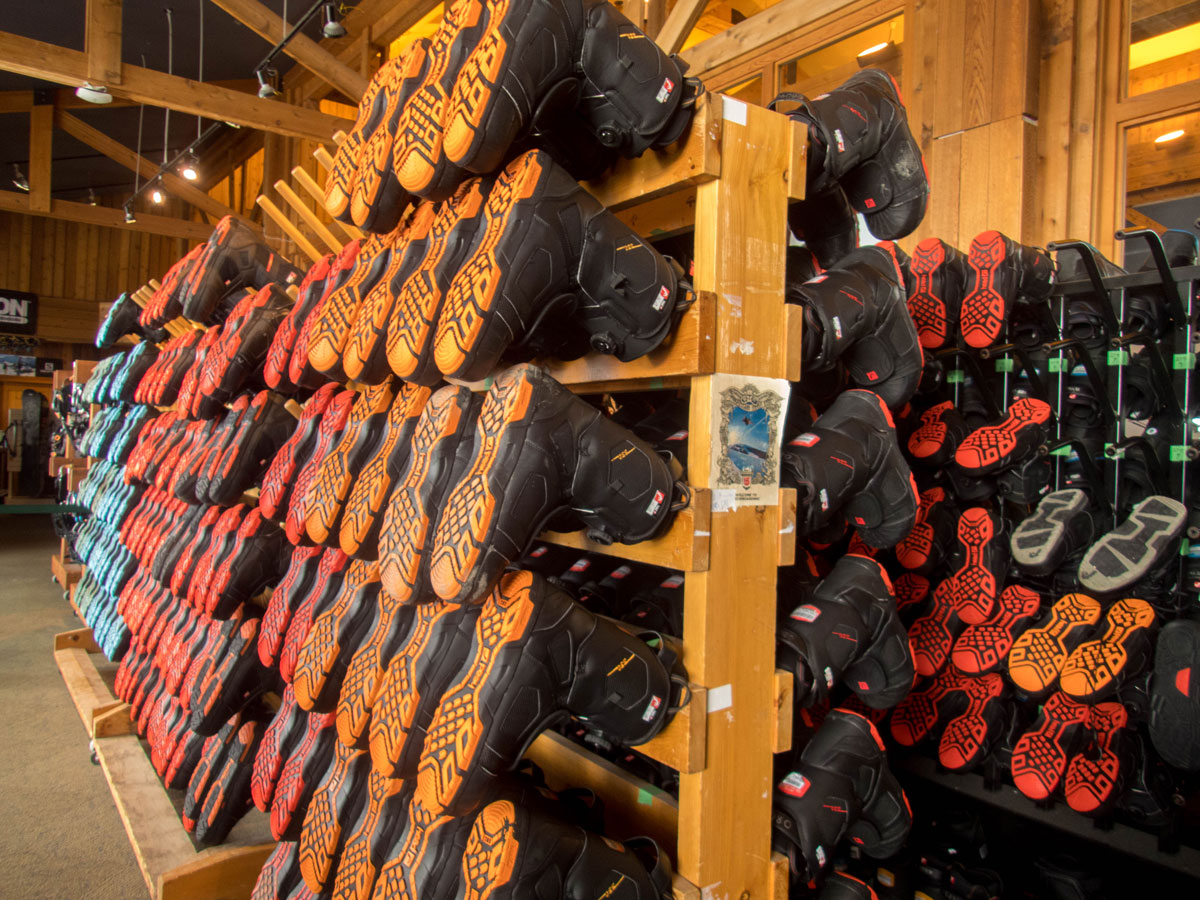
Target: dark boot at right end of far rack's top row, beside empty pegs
(233, 259)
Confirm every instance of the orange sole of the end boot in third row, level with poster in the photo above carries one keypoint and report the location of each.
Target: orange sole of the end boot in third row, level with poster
(471, 511)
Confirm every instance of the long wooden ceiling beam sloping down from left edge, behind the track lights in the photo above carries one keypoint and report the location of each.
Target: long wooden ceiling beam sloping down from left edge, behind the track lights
(63, 65)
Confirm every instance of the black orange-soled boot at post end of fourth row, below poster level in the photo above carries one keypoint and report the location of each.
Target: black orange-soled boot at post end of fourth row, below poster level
(511, 689)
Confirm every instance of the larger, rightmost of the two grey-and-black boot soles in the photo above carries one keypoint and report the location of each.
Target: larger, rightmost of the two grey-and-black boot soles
(1133, 549)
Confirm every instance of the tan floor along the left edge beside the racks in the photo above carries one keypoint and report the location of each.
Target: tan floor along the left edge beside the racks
(61, 836)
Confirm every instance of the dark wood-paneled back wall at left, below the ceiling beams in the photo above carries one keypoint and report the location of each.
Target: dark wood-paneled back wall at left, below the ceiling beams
(74, 268)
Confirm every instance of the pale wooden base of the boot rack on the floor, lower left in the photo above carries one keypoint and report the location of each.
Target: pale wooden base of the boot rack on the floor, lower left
(173, 868)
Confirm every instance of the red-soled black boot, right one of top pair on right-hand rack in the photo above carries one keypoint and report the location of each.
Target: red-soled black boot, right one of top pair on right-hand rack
(1000, 273)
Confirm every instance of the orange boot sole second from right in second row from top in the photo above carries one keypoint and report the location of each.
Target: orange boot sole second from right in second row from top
(415, 319)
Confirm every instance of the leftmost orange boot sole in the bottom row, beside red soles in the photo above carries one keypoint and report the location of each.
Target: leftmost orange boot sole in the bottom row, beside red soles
(321, 841)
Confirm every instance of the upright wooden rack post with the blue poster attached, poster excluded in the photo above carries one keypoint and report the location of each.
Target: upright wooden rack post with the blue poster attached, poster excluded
(730, 610)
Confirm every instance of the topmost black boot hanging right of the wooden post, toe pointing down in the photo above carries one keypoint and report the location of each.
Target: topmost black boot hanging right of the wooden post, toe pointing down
(860, 139)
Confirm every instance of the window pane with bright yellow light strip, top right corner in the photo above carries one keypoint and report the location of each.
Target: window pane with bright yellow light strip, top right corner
(1165, 44)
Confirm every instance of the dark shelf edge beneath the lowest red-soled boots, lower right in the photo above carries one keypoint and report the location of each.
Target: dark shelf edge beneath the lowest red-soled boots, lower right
(1121, 838)
